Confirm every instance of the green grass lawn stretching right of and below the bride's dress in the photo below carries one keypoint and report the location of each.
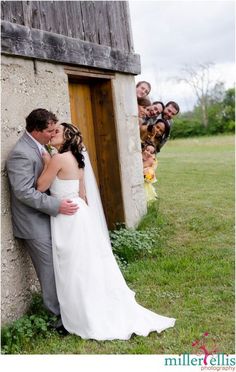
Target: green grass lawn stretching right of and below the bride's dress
(190, 275)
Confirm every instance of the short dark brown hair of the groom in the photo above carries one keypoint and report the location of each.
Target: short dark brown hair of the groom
(39, 119)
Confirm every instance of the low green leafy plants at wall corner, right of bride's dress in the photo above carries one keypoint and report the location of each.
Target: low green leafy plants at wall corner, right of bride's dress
(129, 245)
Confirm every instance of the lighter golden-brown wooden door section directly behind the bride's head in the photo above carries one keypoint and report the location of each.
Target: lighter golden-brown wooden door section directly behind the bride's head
(82, 117)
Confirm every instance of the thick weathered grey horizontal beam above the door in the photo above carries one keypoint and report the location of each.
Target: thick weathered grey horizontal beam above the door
(28, 42)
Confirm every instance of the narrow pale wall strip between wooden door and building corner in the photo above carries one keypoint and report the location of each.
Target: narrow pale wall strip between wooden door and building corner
(128, 138)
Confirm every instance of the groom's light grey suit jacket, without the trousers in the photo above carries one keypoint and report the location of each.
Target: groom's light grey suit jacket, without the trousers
(30, 208)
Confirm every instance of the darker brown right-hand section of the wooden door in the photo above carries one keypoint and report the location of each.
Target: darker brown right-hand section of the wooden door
(107, 151)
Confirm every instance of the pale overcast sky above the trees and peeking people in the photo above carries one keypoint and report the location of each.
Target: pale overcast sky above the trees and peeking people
(169, 35)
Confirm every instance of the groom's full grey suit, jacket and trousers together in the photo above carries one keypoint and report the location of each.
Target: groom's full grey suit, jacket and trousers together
(31, 212)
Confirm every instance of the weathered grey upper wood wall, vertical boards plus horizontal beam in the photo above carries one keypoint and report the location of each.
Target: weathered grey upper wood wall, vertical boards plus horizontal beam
(88, 33)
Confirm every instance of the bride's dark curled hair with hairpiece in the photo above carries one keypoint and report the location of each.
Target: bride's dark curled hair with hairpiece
(73, 142)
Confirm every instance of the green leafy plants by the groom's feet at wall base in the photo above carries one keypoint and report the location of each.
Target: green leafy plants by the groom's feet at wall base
(23, 331)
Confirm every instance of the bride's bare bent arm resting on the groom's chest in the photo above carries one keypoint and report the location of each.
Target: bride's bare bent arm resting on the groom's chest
(50, 170)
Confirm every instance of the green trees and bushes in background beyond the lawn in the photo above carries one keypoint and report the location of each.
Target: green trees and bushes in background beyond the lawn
(220, 113)
